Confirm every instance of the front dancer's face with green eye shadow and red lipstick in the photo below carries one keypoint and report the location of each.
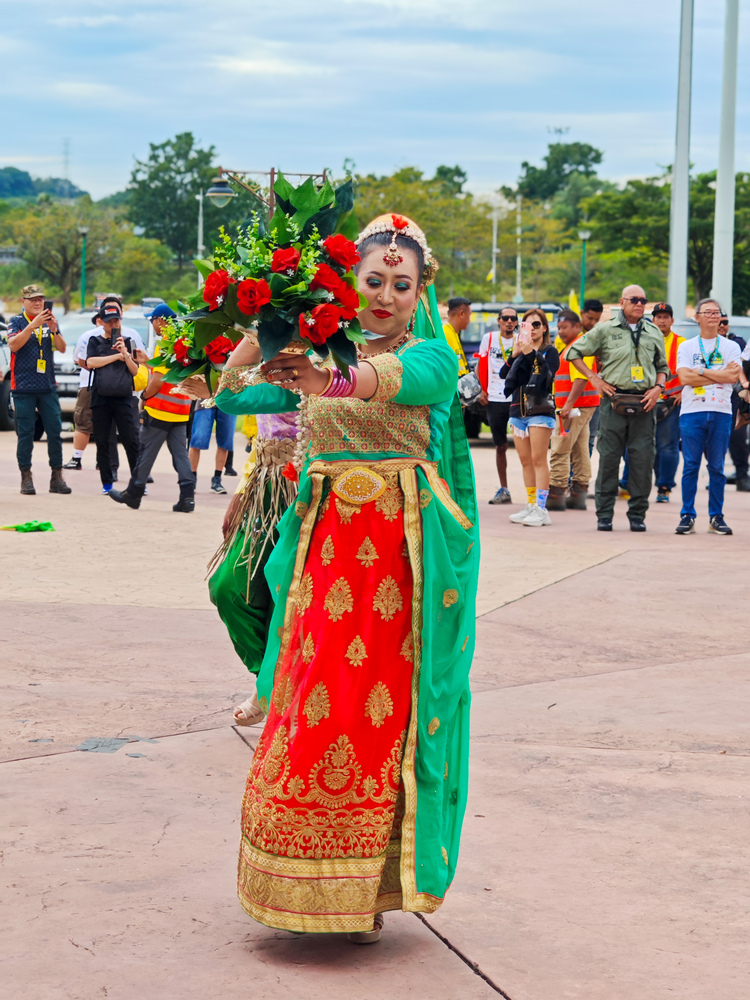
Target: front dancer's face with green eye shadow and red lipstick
(391, 292)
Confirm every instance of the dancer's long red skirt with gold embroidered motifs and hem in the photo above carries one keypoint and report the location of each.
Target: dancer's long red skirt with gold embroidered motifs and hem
(321, 812)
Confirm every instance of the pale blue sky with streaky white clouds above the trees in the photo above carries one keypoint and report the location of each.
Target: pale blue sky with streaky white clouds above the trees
(304, 84)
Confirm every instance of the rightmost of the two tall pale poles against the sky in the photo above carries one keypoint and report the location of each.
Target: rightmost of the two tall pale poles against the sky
(724, 220)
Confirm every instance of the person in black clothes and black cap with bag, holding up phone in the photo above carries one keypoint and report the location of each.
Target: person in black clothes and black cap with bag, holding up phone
(109, 359)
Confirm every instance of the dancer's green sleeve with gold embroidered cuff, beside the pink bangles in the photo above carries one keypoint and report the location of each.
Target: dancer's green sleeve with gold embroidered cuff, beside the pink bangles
(421, 375)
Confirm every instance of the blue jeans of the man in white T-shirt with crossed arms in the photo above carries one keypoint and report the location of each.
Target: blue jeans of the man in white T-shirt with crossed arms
(707, 432)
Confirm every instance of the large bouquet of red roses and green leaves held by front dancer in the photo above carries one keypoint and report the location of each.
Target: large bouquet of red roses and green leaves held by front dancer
(291, 281)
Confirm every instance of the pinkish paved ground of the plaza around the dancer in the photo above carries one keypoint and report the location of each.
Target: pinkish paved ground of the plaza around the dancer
(605, 847)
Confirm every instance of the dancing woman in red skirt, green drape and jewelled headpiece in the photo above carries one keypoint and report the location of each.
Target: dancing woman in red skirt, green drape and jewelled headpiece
(357, 790)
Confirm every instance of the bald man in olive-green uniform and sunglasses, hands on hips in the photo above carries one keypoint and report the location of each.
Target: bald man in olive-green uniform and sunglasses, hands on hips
(632, 359)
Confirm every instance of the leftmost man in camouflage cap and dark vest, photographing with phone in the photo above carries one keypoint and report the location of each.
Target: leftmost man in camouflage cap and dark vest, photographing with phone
(33, 336)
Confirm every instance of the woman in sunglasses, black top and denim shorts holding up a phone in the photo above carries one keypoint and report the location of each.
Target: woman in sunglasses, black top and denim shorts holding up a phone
(529, 381)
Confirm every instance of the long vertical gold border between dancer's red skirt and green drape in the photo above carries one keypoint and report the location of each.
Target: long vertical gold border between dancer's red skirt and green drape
(413, 533)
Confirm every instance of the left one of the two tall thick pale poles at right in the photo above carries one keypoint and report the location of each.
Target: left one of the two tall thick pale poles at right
(679, 220)
